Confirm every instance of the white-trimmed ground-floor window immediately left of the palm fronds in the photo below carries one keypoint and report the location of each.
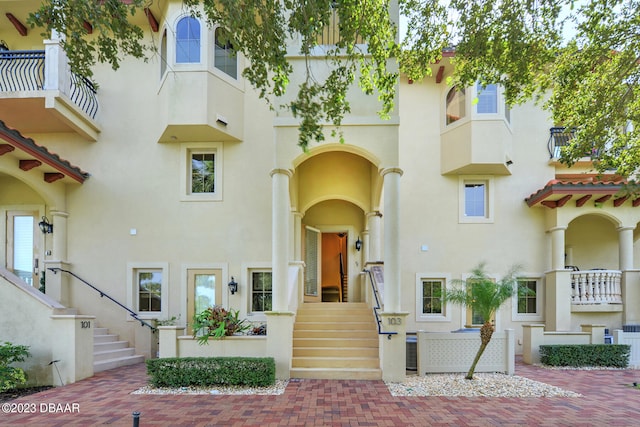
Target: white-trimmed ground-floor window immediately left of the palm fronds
(430, 292)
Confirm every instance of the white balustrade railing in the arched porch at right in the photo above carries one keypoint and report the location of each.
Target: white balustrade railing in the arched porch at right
(596, 287)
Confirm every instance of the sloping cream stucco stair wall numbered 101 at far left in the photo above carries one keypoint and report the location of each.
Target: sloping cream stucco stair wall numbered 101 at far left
(31, 318)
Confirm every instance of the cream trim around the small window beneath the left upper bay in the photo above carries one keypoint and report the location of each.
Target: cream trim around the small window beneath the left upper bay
(185, 171)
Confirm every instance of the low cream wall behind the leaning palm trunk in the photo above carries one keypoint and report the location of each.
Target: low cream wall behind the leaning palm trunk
(454, 352)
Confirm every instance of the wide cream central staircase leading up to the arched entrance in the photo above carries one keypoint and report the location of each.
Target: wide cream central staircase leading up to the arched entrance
(335, 341)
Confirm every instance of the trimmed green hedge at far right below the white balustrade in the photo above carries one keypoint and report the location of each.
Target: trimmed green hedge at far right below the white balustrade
(608, 355)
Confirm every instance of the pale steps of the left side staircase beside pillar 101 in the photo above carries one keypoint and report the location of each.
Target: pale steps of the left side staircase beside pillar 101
(109, 352)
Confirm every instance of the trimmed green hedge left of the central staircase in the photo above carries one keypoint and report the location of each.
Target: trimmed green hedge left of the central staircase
(210, 371)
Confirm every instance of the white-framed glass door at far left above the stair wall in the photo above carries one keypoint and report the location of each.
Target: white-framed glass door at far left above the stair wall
(22, 245)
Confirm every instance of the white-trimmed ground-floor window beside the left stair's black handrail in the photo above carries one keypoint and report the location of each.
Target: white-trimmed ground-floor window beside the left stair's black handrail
(147, 285)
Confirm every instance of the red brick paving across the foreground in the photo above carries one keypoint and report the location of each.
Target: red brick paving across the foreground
(105, 399)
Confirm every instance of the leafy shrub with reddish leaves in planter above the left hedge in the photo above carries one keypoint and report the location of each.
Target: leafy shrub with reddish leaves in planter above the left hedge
(217, 322)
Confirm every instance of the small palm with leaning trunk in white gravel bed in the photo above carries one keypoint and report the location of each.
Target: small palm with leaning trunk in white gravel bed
(484, 296)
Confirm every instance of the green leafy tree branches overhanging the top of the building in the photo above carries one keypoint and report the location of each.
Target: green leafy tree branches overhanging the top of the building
(587, 78)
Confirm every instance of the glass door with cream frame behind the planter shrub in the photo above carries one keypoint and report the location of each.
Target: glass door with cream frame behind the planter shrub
(204, 289)
